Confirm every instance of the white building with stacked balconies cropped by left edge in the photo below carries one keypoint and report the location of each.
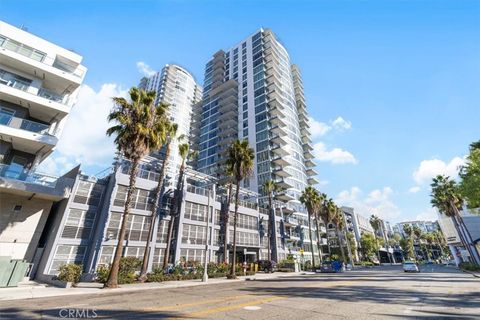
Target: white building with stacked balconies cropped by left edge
(39, 82)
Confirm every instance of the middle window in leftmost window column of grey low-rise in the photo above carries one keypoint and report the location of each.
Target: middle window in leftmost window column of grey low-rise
(79, 224)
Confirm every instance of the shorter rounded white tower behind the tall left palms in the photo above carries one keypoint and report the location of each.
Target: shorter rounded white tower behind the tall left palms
(176, 87)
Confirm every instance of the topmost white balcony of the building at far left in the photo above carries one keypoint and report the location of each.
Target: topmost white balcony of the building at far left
(59, 71)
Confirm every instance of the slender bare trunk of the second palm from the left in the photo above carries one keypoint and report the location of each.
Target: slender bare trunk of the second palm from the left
(153, 215)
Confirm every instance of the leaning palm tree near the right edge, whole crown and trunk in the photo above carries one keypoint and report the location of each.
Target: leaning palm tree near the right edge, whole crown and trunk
(446, 198)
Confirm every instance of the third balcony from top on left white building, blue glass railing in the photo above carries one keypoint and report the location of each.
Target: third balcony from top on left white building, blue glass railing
(25, 135)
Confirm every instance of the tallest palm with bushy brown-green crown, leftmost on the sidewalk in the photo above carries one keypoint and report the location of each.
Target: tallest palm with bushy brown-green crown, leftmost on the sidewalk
(137, 130)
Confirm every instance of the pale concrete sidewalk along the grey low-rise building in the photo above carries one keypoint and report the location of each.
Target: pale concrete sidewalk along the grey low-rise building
(42, 291)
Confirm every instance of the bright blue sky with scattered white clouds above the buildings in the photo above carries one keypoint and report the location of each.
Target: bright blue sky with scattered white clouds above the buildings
(392, 87)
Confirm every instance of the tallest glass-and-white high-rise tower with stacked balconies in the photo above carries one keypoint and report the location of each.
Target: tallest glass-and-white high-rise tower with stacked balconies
(253, 92)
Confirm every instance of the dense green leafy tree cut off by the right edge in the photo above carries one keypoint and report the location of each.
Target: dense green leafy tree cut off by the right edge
(469, 186)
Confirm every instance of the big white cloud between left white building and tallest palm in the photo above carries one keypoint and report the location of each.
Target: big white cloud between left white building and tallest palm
(83, 139)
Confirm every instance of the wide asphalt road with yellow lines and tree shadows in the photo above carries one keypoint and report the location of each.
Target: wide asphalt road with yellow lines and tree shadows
(378, 293)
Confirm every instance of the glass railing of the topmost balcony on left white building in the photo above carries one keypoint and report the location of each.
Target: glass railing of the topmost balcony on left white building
(39, 56)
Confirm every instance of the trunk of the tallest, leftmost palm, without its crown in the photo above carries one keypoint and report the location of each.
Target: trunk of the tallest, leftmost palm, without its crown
(112, 281)
